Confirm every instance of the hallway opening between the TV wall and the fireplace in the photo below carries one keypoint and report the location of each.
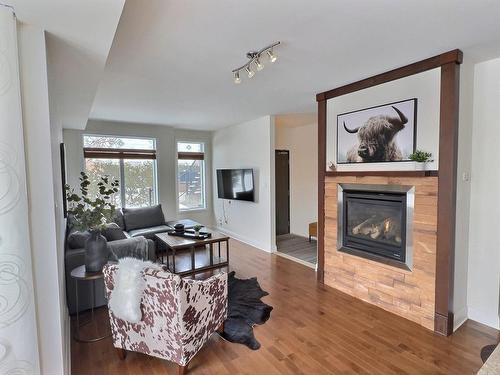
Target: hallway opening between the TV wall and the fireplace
(296, 184)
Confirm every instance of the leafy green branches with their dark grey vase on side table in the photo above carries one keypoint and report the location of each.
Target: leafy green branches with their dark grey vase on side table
(92, 215)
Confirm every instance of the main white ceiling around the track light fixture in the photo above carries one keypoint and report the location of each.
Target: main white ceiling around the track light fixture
(171, 61)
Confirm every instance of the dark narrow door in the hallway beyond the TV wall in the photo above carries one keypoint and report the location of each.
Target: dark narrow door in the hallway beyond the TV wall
(282, 158)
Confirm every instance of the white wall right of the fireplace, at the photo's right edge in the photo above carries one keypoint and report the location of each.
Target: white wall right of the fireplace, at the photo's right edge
(484, 249)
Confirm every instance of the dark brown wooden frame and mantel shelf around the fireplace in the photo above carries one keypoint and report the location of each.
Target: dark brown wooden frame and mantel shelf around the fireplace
(449, 63)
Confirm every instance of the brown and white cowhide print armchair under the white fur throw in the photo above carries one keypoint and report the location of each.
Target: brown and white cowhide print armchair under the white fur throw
(178, 316)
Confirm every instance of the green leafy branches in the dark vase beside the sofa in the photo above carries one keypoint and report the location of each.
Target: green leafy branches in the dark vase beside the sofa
(92, 214)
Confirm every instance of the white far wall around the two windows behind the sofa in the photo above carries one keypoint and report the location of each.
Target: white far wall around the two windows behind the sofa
(166, 138)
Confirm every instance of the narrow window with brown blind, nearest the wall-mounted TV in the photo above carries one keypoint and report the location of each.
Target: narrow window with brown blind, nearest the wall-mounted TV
(191, 175)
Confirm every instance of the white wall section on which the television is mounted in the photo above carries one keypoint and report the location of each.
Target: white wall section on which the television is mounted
(248, 145)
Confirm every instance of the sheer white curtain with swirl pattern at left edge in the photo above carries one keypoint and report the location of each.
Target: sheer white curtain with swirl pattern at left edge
(18, 329)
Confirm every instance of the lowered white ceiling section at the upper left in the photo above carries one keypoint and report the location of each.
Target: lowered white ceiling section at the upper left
(79, 37)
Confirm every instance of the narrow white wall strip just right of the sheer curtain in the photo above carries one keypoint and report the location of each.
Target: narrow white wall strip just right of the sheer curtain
(52, 315)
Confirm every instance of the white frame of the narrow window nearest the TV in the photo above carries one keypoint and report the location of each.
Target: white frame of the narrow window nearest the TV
(197, 156)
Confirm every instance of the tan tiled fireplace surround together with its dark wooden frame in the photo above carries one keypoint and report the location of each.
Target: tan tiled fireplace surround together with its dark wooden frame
(425, 293)
